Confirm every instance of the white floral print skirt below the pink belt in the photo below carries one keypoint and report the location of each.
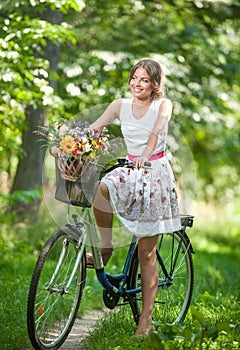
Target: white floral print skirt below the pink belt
(145, 200)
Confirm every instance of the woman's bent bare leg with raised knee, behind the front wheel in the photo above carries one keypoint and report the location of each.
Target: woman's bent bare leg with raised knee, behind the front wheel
(103, 214)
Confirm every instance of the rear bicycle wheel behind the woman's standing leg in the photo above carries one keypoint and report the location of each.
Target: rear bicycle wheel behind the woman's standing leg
(173, 300)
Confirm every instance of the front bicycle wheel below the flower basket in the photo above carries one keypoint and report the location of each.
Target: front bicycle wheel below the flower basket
(51, 311)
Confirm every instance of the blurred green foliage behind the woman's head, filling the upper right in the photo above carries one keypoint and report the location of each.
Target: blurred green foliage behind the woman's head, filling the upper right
(200, 56)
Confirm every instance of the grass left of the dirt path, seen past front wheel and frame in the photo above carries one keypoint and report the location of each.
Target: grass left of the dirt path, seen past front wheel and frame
(20, 245)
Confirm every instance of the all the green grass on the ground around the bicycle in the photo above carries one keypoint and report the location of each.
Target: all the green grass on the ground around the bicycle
(213, 323)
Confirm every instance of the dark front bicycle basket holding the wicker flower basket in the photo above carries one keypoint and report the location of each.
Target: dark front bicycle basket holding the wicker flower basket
(76, 183)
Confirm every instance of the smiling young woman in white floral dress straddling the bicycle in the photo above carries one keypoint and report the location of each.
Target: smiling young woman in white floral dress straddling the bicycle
(144, 200)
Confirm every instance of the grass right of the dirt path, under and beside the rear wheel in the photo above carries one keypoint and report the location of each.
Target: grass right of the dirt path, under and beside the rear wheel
(213, 320)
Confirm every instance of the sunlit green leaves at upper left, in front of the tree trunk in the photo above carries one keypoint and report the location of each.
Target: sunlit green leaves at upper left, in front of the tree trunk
(25, 73)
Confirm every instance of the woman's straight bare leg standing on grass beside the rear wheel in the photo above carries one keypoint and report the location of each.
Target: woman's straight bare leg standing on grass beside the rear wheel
(149, 276)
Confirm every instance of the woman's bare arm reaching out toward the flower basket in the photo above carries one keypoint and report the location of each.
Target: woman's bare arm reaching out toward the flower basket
(110, 113)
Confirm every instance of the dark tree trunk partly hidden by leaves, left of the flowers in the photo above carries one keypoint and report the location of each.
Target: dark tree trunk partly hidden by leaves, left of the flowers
(29, 170)
